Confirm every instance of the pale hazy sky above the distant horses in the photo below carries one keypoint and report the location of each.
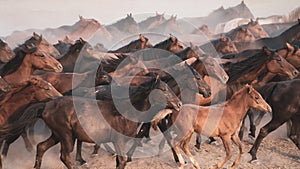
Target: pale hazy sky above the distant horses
(24, 14)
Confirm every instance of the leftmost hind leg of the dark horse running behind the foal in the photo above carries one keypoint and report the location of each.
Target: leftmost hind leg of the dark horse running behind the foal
(42, 148)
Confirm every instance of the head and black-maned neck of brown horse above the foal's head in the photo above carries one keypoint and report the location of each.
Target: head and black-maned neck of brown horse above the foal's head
(248, 71)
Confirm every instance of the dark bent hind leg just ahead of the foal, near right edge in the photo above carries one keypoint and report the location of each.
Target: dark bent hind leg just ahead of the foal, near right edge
(264, 131)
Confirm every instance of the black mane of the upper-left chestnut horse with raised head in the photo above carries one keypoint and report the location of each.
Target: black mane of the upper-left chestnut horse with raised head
(13, 65)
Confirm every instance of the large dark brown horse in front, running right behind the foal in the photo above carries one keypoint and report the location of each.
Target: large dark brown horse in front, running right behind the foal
(61, 117)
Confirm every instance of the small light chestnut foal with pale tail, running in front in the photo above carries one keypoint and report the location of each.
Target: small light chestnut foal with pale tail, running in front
(222, 120)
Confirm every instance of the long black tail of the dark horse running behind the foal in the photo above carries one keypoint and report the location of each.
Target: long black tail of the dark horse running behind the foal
(30, 115)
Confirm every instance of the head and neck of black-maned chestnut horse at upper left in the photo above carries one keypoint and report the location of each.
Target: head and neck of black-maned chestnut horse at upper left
(27, 60)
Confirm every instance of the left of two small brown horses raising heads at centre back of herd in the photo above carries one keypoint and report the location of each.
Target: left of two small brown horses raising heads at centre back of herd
(133, 46)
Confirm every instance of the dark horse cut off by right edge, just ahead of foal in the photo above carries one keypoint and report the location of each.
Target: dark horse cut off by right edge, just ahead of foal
(284, 109)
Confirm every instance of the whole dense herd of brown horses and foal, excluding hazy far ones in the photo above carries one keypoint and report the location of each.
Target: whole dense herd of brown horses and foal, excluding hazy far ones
(200, 90)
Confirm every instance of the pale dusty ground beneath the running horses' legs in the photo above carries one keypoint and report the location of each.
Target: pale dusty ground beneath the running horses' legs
(276, 152)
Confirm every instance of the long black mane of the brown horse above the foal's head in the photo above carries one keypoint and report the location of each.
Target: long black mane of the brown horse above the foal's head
(254, 63)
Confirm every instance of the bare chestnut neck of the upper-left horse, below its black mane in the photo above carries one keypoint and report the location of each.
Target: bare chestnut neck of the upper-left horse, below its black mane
(22, 74)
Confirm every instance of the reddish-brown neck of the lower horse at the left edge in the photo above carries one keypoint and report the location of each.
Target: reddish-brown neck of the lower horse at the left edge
(15, 102)
